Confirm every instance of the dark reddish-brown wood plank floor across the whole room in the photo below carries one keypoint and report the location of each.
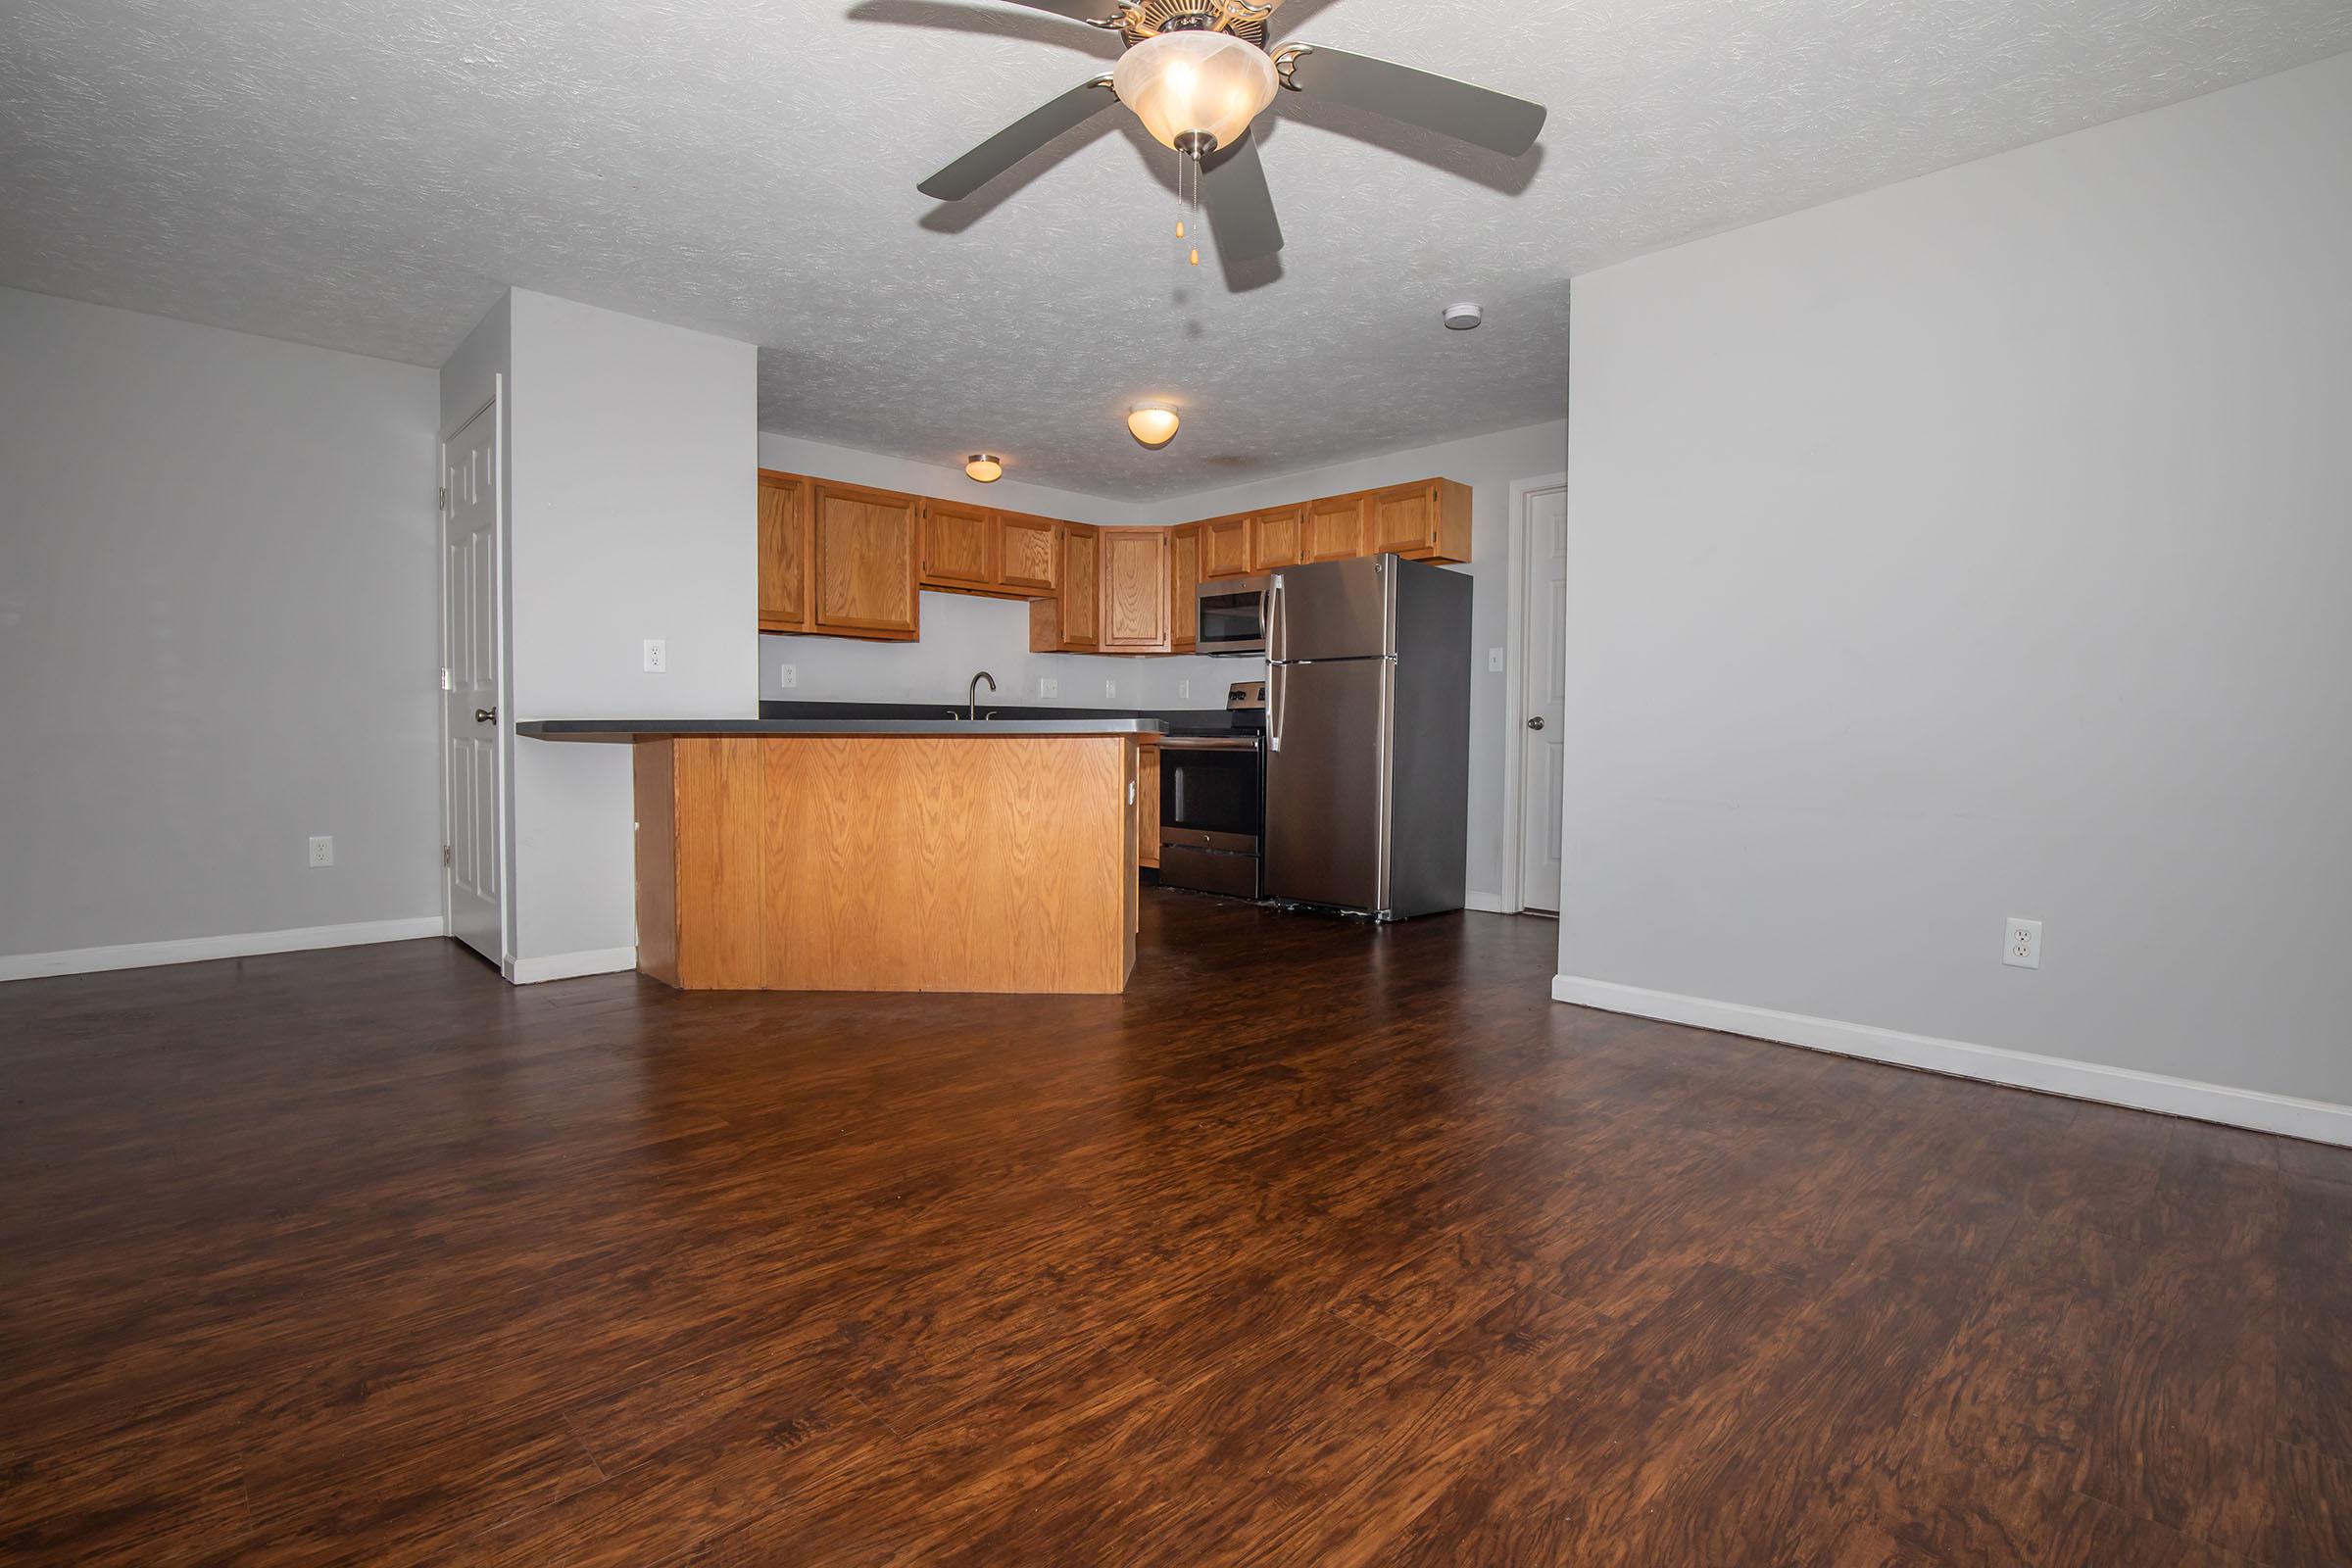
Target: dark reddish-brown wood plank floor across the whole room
(1318, 1247)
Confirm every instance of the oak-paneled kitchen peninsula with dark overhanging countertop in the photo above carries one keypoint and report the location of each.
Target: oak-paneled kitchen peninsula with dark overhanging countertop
(883, 855)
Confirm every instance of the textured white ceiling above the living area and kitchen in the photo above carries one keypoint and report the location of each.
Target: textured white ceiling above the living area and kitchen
(370, 175)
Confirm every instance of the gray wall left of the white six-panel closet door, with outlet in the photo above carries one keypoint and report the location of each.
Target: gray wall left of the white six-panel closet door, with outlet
(218, 631)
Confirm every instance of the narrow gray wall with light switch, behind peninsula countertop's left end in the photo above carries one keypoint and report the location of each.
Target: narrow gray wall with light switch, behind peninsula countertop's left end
(634, 474)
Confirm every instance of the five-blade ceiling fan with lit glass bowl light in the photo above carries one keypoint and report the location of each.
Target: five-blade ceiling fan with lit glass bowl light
(1198, 72)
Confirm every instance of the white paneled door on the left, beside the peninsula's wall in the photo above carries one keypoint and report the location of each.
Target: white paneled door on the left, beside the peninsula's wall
(472, 685)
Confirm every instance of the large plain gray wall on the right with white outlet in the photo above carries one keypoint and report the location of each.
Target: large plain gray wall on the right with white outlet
(1979, 549)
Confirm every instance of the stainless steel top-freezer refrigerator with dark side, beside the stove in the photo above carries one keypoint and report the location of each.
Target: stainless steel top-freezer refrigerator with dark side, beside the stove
(1368, 737)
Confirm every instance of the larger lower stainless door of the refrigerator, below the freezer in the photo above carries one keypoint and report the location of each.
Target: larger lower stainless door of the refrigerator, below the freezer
(1328, 784)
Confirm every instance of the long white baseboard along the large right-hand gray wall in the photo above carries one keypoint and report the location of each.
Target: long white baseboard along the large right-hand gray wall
(2057, 1076)
